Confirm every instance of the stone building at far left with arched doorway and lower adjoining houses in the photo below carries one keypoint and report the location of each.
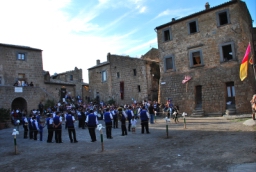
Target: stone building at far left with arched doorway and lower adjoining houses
(21, 65)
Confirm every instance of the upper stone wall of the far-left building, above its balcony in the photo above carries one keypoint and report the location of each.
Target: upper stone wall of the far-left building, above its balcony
(10, 67)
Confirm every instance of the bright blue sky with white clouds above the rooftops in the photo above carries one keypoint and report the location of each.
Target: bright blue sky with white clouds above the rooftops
(76, 33)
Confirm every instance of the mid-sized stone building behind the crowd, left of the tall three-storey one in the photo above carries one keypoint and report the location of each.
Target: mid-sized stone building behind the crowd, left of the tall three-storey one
(125, 79)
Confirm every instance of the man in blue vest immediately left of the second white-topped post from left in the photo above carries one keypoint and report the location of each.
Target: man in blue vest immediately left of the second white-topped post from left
(92, 122)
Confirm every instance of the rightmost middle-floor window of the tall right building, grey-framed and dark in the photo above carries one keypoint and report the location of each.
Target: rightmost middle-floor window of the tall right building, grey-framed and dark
(227, 52)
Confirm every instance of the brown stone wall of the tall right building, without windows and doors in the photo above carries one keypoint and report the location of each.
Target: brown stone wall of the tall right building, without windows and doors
(213, 75)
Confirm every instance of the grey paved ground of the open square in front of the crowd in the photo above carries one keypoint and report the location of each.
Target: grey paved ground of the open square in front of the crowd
(207, 144)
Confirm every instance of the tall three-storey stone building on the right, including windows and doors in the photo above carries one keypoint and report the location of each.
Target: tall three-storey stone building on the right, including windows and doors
(207, 46)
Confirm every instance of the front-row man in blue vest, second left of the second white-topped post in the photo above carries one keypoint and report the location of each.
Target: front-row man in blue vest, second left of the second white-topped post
(70, 119)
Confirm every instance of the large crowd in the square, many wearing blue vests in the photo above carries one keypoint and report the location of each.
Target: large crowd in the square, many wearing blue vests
(88, 116)
